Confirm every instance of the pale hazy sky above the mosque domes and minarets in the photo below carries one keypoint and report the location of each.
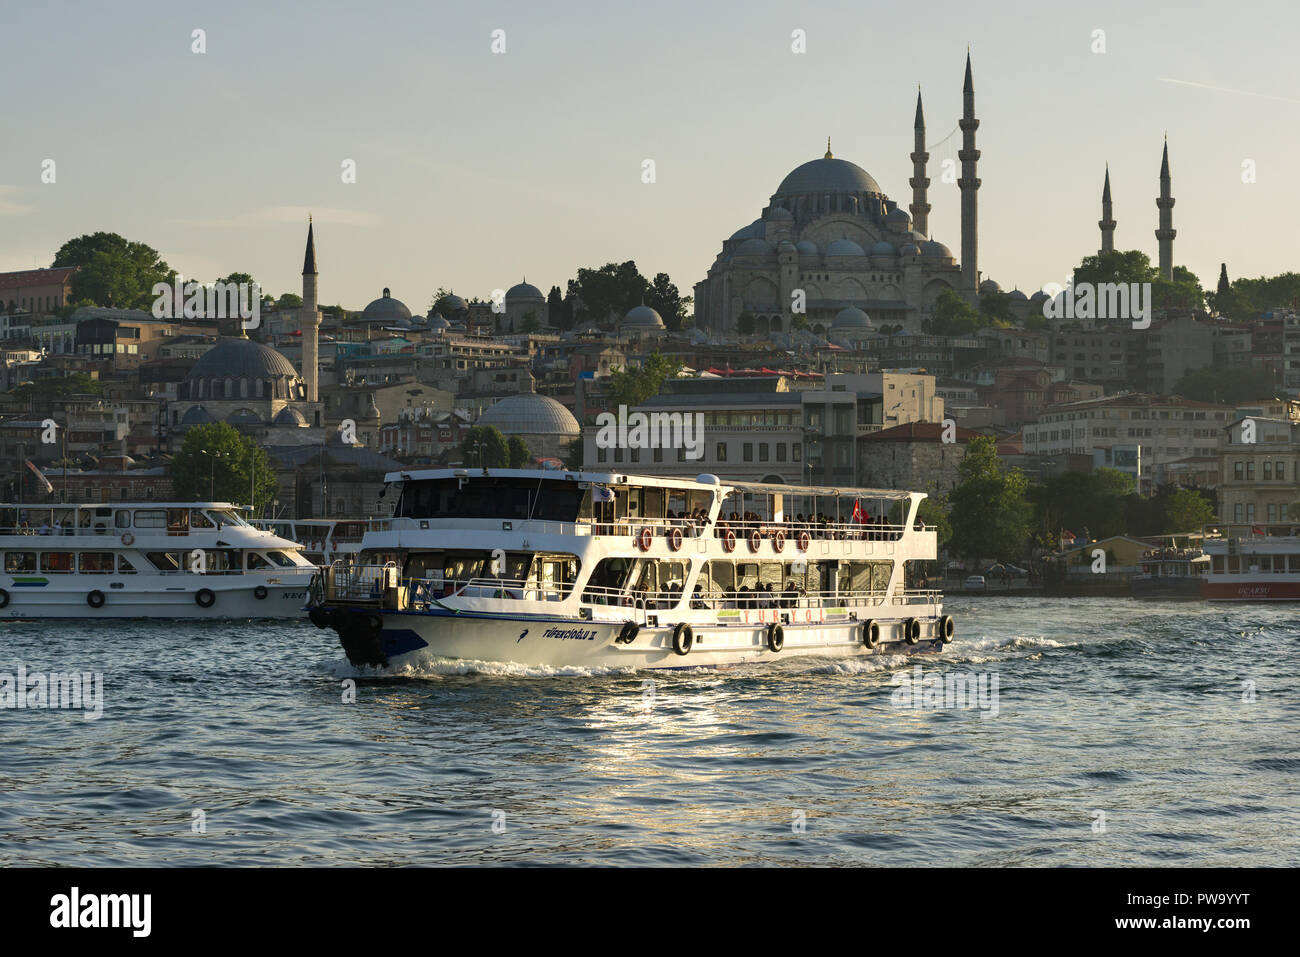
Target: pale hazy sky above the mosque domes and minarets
(474, 170)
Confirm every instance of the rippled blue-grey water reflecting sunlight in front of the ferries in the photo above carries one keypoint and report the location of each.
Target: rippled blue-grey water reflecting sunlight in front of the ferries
(1138, 711)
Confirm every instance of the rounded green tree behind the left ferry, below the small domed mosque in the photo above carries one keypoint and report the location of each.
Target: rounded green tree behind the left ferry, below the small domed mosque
(218, 464)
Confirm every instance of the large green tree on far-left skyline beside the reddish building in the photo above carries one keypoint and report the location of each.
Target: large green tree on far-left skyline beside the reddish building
(114, 271)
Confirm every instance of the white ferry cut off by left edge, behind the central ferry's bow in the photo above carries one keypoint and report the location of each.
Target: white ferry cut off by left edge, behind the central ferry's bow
(158, 560)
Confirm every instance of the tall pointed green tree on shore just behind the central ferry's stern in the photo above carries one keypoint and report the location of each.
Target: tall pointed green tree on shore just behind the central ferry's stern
(990, 513)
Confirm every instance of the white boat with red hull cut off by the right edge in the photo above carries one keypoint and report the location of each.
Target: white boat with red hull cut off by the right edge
(1254, 564)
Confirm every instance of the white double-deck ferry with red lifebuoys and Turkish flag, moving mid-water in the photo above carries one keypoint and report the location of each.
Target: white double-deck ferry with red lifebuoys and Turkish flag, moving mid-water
(610, 570)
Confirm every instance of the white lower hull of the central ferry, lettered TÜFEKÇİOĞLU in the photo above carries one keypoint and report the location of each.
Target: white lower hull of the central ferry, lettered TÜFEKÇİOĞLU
(401, 640)
